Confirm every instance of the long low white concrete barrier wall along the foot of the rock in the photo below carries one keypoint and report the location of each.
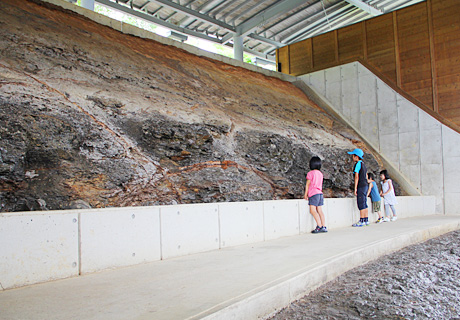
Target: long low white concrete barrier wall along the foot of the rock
(44, 246)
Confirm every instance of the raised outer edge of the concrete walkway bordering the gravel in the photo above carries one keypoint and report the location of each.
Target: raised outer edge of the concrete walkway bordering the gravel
(265, 303)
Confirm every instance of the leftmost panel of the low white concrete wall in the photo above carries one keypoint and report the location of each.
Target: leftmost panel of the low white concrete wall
(37, 247)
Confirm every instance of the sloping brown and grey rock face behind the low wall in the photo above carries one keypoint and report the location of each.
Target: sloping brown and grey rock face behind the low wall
(90, 117)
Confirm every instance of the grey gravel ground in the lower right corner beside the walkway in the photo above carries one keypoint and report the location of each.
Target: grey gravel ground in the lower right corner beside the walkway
(418, 282)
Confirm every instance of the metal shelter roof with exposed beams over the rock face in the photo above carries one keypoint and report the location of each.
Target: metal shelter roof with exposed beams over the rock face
(265, 25)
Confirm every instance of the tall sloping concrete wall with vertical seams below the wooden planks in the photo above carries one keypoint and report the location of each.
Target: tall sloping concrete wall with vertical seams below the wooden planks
(418, 148)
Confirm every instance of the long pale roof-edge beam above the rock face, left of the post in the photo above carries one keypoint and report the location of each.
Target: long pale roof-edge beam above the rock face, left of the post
(148, 17)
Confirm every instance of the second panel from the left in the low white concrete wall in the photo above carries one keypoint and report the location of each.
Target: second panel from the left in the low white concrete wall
(118, 237)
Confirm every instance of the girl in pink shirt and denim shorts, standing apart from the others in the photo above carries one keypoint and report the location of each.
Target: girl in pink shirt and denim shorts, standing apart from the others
(314, 194)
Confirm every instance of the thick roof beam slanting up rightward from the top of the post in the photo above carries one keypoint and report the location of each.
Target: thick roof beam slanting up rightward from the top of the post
(264, 16)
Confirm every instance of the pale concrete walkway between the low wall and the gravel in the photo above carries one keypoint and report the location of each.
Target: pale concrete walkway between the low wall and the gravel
(245, 282)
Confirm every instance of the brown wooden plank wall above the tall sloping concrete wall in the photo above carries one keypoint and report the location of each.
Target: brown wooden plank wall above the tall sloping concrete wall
(415, 49)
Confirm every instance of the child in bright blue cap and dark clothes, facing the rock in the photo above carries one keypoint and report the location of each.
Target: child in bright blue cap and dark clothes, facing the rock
(361, 187)
